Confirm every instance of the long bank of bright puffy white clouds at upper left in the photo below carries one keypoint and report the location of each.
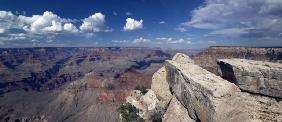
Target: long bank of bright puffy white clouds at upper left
(49, 22)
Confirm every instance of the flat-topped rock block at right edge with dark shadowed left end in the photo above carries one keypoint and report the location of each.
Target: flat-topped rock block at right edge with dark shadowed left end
(253, 76)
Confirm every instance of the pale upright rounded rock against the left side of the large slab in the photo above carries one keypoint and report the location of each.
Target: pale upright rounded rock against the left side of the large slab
(160, 86)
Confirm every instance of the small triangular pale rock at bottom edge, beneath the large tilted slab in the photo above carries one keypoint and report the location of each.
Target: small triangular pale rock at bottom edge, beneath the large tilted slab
(176, 112)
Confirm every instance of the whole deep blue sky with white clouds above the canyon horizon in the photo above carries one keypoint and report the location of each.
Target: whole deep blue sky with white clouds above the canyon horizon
(152, 23)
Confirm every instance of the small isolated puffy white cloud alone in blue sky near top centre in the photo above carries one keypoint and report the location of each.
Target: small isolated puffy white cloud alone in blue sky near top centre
(132, 24)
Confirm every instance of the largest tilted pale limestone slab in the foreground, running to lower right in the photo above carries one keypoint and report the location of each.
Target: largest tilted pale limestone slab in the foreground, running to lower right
(210, 98)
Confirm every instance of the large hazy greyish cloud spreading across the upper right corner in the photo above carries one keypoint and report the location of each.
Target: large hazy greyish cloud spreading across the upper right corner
(238, 18)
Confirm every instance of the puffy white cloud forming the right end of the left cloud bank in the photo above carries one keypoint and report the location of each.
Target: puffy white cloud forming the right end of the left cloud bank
(94, 23)
